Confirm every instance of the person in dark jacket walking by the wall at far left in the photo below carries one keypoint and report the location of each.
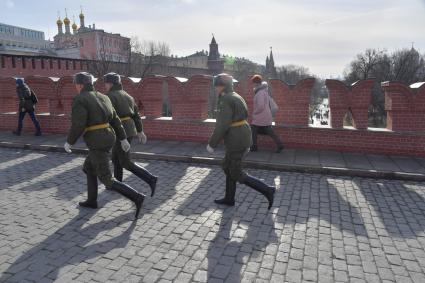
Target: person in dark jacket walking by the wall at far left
(27, 102)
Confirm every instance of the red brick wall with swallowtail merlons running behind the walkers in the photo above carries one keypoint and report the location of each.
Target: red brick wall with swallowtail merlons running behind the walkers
(405, 106)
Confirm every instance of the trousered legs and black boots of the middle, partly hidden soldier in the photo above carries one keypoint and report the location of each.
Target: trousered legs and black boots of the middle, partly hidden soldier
(121, 159)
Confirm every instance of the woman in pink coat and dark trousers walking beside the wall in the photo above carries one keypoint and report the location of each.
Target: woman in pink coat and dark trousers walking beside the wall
(262, 118)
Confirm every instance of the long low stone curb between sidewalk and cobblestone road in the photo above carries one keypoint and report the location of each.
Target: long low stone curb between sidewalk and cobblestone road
(336, 171)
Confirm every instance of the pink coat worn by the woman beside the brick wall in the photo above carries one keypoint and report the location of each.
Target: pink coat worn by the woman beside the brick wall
(262, 114)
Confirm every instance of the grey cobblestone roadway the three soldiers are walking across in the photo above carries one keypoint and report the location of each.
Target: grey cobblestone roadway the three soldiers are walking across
(322, 228)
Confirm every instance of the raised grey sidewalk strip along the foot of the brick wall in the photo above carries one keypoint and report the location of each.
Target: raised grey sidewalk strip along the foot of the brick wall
(293, 160)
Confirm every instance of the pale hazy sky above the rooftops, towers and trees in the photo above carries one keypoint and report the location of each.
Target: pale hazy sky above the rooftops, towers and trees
(323, 35)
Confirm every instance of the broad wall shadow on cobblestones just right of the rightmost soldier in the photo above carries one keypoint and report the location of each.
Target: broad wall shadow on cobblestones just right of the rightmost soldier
(321, 200)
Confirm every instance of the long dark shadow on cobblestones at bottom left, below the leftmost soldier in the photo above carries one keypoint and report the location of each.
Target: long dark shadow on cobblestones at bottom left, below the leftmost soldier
(70, 245)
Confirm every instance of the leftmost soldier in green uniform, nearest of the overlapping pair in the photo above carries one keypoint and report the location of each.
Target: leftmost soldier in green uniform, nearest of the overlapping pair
(94, 117)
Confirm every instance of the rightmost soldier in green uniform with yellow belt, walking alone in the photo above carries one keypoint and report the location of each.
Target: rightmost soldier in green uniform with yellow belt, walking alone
(232, 126)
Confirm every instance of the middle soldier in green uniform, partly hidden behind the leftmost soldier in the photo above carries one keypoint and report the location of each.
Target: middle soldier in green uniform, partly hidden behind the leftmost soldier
(128, 112)
